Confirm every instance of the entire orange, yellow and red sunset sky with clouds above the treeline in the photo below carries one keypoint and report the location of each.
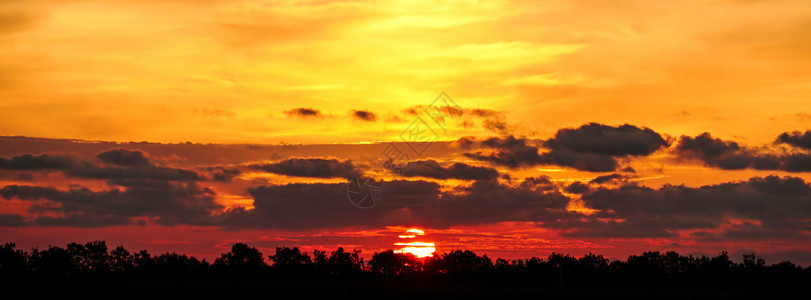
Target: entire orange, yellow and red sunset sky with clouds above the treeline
(612, 127)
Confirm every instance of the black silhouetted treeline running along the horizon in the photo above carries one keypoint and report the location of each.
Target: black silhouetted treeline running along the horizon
(95, 260)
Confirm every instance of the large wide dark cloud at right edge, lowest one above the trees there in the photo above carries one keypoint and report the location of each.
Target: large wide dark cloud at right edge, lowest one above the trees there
(764, 207)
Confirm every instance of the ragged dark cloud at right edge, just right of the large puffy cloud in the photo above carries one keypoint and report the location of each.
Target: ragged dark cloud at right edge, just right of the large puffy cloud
(729, 155)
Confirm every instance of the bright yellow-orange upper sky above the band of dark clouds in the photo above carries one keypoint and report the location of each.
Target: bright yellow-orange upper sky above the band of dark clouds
(225, 71)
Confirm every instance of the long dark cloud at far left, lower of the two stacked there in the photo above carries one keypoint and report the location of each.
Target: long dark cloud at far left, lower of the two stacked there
(168, 203)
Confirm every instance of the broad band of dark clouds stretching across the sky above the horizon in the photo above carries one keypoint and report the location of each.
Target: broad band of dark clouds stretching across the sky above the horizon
(140, 189)
